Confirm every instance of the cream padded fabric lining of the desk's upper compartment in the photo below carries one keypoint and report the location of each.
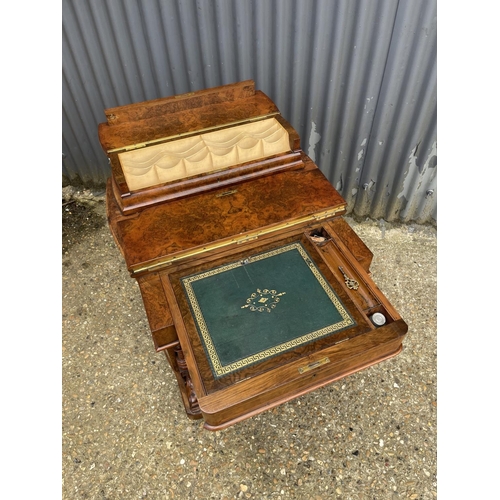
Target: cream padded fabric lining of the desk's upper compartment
(203, 153)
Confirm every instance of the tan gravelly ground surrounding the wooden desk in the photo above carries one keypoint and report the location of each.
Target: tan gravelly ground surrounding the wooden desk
(125, 434)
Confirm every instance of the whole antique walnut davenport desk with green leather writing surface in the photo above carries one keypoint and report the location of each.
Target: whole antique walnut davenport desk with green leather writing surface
(255, 287)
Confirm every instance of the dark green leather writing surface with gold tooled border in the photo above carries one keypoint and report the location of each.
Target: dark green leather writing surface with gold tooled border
(248, 311)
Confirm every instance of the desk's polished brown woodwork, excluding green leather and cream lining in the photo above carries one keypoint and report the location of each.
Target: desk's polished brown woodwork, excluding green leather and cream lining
(178, 227)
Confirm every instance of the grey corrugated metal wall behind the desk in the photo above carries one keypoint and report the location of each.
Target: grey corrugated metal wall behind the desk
(356, 78)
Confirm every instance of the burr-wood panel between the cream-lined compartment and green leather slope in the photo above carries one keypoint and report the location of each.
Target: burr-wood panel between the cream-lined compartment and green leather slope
(165, 233)
